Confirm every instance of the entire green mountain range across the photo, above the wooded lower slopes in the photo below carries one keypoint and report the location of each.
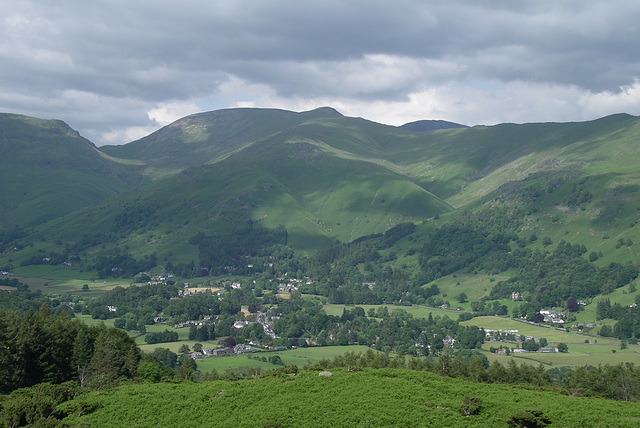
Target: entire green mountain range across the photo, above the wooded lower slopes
(325, 178)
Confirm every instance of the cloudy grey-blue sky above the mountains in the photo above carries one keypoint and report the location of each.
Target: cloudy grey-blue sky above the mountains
(117, 70)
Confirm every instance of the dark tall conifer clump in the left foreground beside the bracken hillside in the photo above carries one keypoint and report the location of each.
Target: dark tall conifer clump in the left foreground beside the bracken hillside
(43, 347)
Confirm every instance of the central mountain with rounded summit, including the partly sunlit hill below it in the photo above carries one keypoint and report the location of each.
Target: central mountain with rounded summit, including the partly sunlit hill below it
(321, 175)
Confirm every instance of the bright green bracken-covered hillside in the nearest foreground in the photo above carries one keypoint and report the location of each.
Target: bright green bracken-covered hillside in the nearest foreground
(382, 397)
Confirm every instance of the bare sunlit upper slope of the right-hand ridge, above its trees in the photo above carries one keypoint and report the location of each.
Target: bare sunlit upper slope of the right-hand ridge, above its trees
(463, 165)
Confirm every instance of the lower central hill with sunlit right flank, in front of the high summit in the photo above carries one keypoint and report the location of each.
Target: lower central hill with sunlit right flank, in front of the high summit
(319, 196)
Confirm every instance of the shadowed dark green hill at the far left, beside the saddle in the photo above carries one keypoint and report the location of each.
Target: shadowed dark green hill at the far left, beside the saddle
(47, 170)
